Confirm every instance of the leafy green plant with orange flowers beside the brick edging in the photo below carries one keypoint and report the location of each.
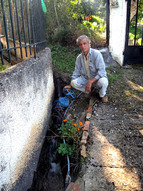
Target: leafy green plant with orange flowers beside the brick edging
(71, 132)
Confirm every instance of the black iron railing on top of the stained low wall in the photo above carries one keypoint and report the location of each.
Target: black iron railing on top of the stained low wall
(22, 29)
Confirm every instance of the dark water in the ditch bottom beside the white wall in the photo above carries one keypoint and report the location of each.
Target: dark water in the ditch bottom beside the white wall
(48, 176)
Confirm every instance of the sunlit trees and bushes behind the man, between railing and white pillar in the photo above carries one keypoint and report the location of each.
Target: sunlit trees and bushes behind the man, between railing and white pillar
(72, 16)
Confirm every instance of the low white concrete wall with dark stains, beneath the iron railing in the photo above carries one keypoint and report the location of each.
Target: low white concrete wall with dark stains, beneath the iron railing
(26, 92)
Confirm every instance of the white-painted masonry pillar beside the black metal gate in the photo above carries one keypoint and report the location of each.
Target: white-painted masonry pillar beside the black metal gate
(118, 31)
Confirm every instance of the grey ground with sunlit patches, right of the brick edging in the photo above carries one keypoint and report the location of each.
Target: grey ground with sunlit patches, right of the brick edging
(115, 154)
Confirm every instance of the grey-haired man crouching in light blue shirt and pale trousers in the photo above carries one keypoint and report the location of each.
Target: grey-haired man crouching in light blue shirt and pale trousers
(89, 70)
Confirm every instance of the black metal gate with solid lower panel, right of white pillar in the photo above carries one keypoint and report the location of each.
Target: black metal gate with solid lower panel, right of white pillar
(133, 53)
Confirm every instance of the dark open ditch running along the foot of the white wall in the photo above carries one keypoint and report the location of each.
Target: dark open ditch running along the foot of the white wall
(54, 172)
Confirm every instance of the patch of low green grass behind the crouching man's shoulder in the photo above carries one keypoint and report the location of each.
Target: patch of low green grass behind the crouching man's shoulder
(64, 57)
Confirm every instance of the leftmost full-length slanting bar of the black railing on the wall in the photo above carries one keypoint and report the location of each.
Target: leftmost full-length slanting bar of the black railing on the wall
(5, 27)
